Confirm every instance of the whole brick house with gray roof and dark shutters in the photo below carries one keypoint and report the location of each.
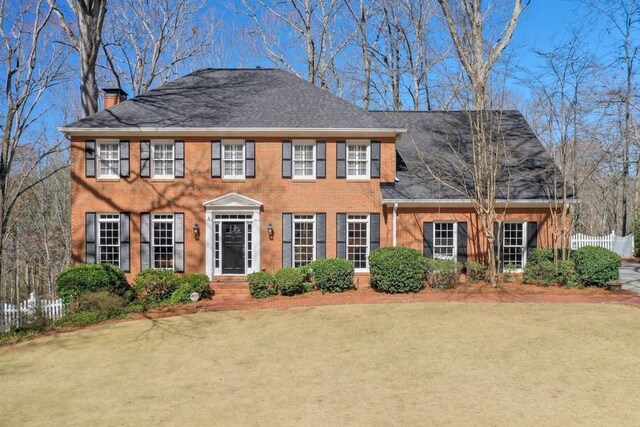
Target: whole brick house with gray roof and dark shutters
(232, 171)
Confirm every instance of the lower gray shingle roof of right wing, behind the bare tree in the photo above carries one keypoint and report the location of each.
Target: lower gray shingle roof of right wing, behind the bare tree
(440, 139)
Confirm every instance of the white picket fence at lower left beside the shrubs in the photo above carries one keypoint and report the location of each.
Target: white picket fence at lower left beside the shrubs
(15, 315)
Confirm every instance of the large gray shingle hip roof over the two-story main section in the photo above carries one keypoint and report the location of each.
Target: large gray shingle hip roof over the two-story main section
(212, 98)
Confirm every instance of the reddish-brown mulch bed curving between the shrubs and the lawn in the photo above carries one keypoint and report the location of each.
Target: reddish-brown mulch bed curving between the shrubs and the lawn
(481, 292)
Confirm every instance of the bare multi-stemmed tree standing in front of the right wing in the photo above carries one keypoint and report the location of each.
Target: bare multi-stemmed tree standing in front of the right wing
(478, 55)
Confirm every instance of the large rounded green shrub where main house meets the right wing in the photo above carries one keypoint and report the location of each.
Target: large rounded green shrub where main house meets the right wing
(397, 270)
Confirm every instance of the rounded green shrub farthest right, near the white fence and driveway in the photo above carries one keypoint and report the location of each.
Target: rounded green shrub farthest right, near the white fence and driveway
(596, 266)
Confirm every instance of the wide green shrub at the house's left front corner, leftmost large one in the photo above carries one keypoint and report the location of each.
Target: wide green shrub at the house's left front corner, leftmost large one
(82, 278)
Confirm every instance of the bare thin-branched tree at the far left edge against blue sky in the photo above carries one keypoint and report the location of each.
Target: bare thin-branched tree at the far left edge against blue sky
(30, 67)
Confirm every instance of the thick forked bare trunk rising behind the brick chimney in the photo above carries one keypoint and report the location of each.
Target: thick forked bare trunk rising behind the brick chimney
(86, 40)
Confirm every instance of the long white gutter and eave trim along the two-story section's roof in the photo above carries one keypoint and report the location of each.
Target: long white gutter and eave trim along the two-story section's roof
(235, 132)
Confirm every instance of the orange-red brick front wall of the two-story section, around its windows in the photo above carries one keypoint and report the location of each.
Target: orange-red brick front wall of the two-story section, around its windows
(278, 195)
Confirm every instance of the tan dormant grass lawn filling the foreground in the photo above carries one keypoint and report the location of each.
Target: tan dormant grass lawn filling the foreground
(449, 363)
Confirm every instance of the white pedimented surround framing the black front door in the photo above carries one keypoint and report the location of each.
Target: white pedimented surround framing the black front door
(232, 207)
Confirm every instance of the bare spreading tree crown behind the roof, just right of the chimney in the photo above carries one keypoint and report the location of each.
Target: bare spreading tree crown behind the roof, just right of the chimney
(145, 43)
